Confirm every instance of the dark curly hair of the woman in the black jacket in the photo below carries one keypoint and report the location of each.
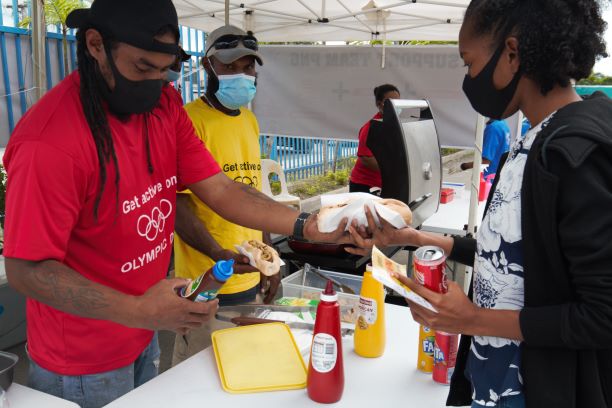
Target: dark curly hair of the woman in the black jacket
(559, 40)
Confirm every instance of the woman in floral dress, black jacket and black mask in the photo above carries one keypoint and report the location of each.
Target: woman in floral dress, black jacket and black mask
(537, 324)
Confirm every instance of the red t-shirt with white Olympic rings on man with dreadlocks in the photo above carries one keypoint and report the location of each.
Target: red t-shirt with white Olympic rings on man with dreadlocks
(53, 179)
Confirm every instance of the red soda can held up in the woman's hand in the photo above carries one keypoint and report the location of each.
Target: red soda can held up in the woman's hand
(430, 268)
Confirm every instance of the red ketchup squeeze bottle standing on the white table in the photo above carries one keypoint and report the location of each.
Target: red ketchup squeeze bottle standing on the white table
(325, 370)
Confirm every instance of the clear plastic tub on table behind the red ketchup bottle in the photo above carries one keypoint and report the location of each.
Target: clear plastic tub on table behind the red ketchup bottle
(307, 285)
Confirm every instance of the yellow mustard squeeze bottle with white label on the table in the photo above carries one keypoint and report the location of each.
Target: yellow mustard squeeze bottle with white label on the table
(370, 329)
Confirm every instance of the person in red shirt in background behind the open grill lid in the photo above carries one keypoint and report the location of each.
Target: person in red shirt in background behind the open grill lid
(366, 174)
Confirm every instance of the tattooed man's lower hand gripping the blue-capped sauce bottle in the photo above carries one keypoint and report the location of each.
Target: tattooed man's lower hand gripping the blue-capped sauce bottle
(161, 308)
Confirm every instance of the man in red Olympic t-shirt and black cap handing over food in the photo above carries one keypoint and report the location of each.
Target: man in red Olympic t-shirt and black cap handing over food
(93, 172)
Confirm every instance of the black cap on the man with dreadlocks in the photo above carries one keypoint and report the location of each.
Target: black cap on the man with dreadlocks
(135, 22)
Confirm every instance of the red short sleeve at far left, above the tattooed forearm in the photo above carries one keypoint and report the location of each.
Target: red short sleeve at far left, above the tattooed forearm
(45, 194)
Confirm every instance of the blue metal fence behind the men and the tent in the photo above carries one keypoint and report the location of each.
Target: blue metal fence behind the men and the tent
(300, 157)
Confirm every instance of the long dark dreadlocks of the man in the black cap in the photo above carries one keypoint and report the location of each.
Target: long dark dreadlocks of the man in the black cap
(95, 115)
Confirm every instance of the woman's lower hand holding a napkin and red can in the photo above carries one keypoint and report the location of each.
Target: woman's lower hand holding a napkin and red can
(456, 312)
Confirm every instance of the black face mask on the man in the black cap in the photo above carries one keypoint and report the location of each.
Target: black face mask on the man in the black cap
(130, 96)
